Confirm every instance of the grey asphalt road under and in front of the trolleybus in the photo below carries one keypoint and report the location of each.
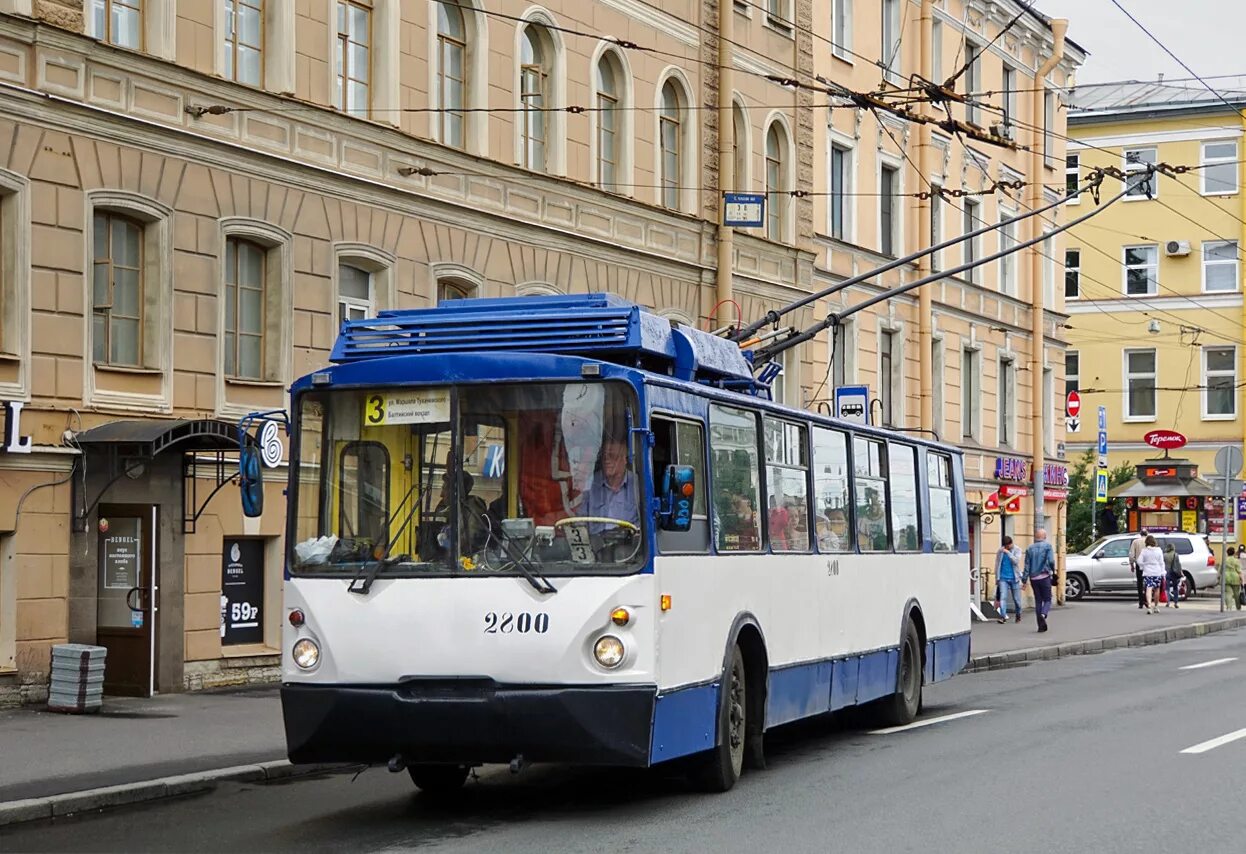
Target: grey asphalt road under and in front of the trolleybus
(1078, 755)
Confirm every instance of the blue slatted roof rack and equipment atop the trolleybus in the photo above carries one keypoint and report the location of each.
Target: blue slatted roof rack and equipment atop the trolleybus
(594, 326)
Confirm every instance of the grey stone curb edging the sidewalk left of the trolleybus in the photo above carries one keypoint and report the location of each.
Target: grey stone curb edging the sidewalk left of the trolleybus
(57, 806)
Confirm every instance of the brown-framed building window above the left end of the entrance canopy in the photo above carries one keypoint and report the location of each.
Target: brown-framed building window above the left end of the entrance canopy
(118, 287)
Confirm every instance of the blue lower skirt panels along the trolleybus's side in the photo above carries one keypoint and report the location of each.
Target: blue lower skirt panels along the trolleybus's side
(685, 721)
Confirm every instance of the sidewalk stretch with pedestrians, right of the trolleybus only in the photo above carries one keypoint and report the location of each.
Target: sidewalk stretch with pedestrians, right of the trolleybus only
(1096, 625)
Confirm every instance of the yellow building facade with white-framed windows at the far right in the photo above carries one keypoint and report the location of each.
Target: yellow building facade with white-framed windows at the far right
(1153, 286)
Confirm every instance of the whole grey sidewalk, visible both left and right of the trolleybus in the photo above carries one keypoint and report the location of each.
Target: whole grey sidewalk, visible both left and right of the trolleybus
(144, 750)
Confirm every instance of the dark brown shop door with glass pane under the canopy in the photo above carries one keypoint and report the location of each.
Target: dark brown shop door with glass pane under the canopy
(128, 588)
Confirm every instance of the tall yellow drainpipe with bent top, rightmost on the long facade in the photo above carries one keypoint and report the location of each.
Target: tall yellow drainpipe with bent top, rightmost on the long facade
(1039, 296)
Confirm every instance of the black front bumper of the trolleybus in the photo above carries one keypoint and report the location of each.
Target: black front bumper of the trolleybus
(469, 722)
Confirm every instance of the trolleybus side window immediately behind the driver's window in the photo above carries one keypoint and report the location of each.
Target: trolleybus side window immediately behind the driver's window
(733, 439)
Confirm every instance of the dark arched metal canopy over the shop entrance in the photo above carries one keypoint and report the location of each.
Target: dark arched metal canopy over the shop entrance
(209, 447)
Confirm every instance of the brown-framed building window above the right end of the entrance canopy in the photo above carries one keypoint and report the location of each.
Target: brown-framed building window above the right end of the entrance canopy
(245, 309)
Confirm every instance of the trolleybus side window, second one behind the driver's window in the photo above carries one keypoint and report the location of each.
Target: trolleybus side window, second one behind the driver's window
(787, 486)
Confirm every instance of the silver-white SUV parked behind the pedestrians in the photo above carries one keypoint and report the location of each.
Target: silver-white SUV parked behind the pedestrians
(1105, 567)
